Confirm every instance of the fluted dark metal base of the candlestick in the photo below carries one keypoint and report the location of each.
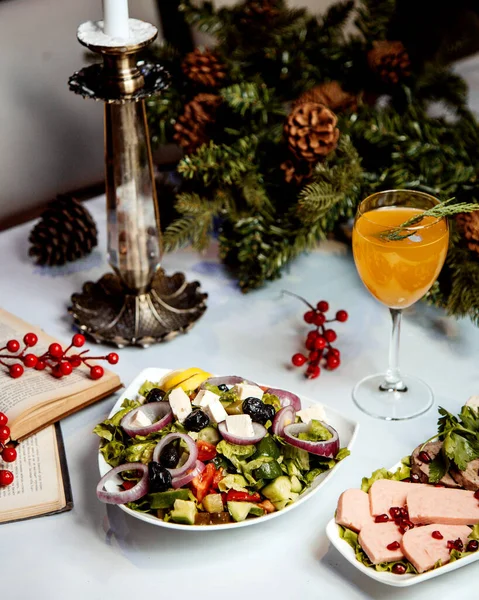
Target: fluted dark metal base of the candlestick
(109, 313)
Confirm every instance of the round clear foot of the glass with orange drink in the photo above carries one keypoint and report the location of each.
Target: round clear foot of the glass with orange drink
(389, 404)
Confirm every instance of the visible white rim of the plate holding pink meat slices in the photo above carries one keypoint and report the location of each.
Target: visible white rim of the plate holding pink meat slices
(332, 531)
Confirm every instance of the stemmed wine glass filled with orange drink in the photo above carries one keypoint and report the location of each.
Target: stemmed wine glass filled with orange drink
(398, 266)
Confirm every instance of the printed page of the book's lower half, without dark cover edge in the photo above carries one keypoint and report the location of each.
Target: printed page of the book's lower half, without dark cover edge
(37, 475)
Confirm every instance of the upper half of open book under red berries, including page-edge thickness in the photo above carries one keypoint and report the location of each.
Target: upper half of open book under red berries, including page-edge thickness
(37, 399)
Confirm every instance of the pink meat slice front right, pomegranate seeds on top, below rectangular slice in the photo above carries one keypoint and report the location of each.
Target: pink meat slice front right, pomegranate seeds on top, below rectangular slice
(423, 551)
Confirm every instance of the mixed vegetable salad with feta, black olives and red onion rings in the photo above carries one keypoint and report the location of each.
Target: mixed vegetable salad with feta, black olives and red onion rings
(201, 450)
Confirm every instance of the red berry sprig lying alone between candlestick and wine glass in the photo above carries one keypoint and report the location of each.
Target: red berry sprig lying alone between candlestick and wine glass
(319, 340)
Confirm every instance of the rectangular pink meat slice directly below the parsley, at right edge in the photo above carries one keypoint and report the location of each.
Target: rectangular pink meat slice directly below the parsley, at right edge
(428, 504)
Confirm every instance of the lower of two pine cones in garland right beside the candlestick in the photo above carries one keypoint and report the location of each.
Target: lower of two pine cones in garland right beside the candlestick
(191, 129)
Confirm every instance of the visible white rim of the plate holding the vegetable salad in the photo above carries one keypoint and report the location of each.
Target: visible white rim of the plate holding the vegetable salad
(346, 428)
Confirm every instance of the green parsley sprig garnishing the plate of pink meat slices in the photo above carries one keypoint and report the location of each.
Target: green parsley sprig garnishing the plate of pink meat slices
(460, 437)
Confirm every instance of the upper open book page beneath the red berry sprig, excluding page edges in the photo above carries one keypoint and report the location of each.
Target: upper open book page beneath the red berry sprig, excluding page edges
(35, 388)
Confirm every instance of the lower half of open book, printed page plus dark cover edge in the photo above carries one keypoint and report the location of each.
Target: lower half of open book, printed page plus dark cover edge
(41, 485)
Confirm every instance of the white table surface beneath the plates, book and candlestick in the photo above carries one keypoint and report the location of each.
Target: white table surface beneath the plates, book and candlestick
(98, 552)
